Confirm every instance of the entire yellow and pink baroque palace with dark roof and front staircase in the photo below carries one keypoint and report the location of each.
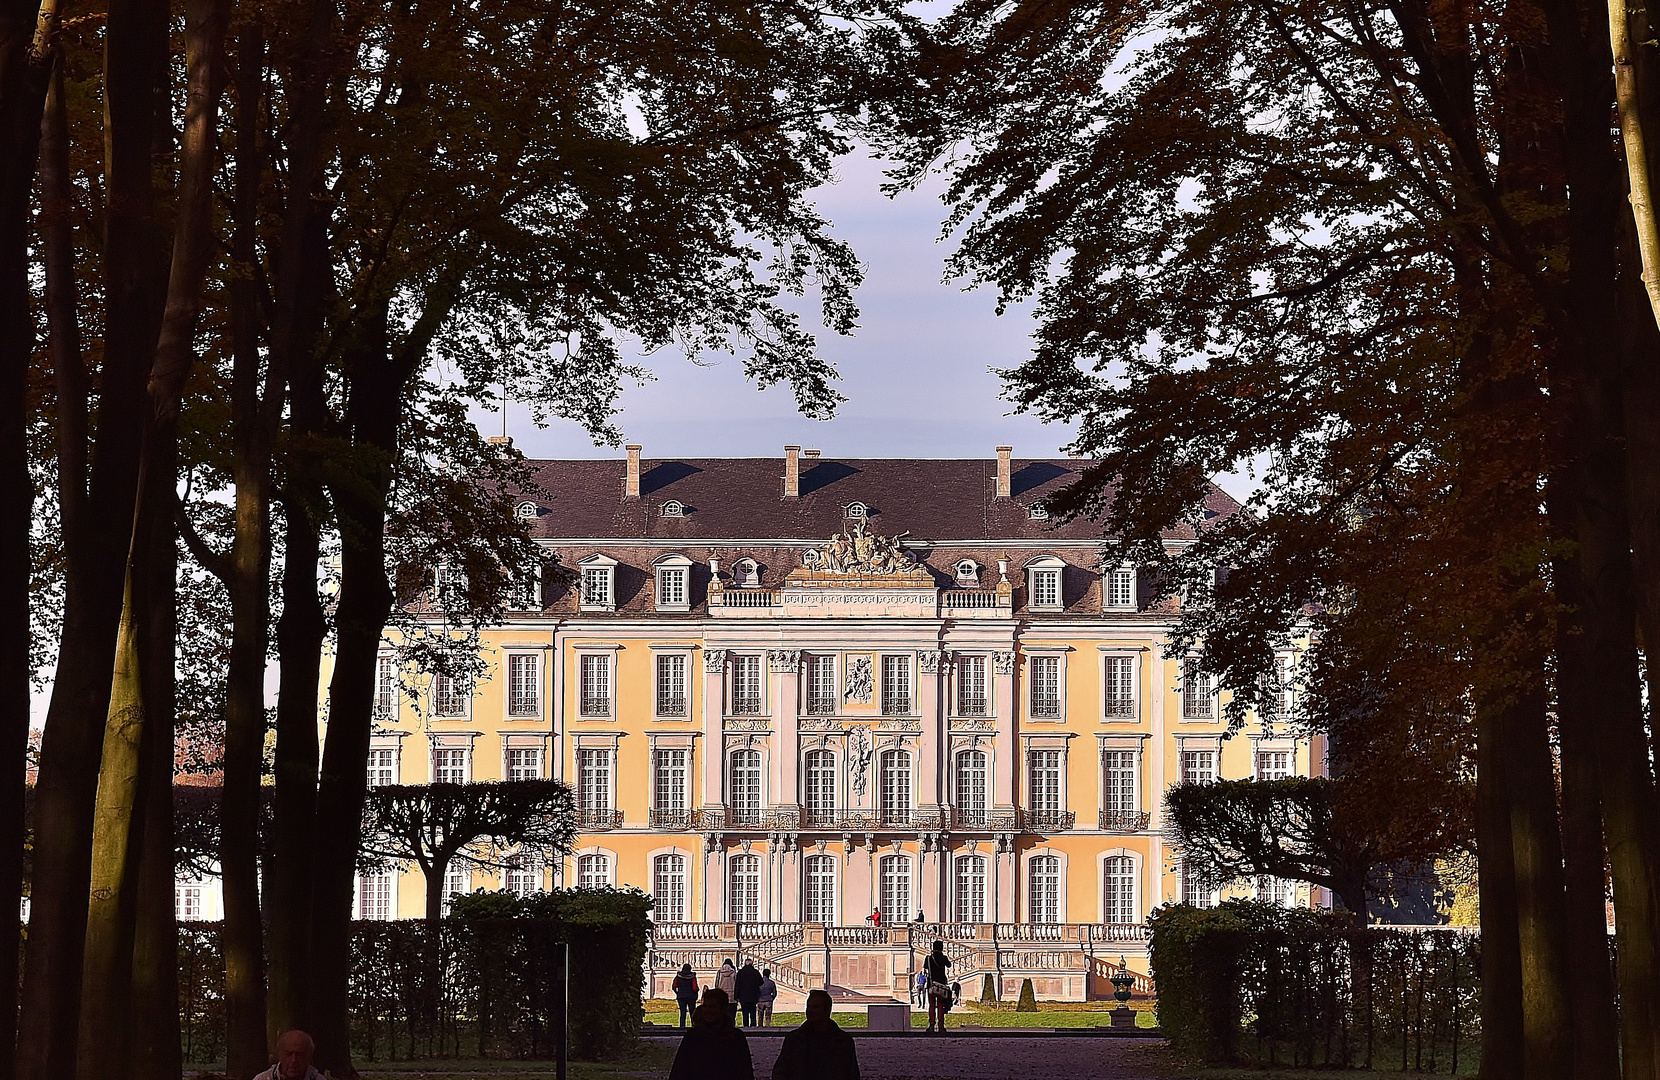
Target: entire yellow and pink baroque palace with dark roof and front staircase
(796, 693)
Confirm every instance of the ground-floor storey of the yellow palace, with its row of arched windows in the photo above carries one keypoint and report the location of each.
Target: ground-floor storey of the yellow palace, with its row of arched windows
(841, 887)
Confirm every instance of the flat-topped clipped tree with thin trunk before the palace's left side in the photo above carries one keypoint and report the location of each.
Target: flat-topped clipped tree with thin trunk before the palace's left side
(482, 824)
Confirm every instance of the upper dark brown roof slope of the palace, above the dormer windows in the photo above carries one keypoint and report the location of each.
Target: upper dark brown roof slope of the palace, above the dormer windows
(743, 499)
